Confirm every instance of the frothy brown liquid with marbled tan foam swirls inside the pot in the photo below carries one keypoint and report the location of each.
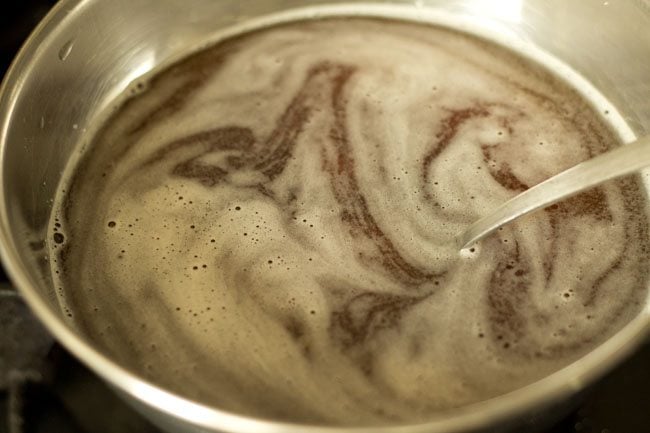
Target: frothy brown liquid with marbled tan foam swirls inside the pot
(266, 227)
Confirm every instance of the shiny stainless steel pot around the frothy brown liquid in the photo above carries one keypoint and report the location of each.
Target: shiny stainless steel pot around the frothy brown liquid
(85, 53)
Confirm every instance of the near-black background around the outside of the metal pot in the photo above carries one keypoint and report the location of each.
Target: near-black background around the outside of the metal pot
(70, 399)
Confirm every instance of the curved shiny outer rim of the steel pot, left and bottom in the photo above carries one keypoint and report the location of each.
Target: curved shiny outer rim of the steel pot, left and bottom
(551, 389)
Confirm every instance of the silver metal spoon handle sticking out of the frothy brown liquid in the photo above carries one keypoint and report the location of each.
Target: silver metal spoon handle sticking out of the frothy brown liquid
(616, 163)
